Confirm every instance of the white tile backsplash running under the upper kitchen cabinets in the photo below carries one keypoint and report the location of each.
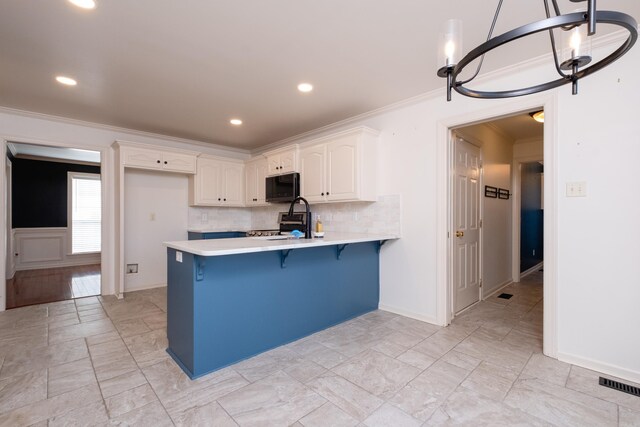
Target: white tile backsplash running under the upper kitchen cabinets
(382, 216)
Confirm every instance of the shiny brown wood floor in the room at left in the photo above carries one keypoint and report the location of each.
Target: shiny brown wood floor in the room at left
(52, 284)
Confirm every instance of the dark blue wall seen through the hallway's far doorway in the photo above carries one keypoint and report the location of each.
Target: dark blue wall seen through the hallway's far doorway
(531, 222)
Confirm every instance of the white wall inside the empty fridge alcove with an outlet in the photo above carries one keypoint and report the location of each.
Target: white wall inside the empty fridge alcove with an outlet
(156, 211)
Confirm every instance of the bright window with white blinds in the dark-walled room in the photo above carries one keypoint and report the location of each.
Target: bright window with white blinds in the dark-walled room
(85, 212)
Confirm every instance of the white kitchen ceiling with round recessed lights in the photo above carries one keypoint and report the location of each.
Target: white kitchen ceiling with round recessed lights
(184, 68)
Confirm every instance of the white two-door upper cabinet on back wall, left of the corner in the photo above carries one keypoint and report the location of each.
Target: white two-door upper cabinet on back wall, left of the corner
(217, 183)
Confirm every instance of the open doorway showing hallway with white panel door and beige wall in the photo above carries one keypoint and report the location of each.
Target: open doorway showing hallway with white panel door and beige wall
(483, 260)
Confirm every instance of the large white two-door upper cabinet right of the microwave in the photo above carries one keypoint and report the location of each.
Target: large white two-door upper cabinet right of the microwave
(340, 167)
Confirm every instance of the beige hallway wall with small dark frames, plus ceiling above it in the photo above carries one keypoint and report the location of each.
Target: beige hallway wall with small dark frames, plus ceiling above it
(497, 156)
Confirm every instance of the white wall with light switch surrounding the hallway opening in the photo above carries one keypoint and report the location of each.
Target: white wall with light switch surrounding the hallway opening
(597, 141)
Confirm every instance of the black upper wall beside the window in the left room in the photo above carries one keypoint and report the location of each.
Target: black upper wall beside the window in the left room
(39, 192)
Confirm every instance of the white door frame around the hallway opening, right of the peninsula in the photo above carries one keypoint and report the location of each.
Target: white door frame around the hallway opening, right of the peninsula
(444, 221)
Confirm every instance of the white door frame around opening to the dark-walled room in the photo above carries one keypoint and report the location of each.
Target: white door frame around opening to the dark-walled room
(106, 263)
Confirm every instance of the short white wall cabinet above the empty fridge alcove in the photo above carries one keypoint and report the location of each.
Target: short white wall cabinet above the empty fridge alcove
(150, 158)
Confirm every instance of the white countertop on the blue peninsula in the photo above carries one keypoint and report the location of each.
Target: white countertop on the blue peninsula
(243, 245)
